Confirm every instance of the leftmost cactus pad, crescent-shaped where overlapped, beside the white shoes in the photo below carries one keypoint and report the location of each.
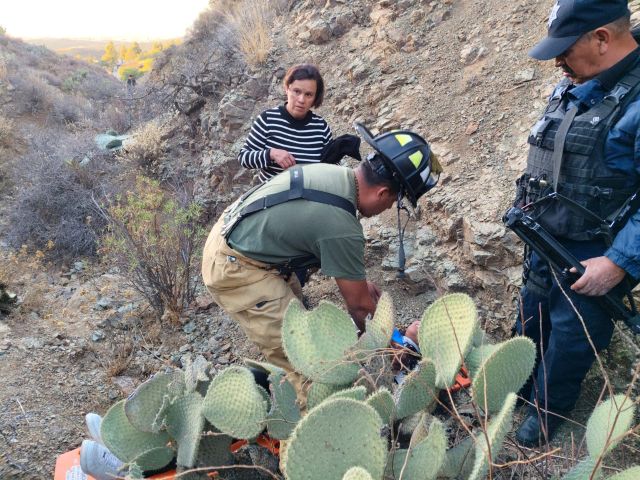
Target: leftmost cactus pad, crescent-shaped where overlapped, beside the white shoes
(123, 439)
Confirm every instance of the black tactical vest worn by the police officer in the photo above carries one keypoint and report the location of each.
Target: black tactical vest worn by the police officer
(584, 176)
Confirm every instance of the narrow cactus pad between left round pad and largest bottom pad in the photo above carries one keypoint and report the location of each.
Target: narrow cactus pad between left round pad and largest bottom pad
(284, 413)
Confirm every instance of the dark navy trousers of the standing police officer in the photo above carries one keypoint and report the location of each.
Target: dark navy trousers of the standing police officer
(564, 352)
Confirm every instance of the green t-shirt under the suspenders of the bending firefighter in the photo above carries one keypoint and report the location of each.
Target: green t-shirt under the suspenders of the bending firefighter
(301, 227)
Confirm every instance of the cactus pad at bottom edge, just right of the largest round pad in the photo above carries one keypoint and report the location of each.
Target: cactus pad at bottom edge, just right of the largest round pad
(425, 456)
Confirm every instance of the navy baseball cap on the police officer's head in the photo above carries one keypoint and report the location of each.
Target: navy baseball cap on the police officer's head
(570, 19)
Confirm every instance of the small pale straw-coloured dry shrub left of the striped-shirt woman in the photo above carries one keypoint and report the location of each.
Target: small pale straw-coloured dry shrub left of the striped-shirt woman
(147, 147)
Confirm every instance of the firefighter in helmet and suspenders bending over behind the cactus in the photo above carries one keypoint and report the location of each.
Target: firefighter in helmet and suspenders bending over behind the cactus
(306, 217)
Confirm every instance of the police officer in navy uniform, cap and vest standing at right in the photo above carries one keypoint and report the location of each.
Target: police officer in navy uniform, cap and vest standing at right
(586, 146)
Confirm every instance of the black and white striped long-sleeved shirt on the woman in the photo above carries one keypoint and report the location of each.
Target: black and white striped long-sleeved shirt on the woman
(276, 128)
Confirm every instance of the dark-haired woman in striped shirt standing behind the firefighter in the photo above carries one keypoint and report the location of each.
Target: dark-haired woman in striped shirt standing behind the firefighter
(289, 134)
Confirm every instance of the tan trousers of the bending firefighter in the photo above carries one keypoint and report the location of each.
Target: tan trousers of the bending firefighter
(253, 296)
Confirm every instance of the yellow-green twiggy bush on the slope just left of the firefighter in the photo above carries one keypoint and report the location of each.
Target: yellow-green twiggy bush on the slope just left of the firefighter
(155, 240)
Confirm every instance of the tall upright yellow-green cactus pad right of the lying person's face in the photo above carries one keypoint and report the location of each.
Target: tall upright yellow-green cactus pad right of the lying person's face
(446, 334)
